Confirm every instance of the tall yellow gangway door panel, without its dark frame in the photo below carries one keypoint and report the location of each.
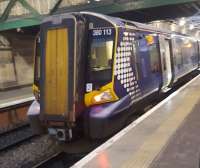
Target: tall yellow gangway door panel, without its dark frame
(56, 72)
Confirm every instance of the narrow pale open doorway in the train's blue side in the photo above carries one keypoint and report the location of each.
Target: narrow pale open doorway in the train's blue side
(166, 62)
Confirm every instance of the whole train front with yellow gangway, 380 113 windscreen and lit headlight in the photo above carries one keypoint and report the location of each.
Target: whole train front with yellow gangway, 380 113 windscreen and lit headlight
(65, 40)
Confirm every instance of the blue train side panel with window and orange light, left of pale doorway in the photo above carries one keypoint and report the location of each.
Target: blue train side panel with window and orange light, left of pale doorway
(149, 68)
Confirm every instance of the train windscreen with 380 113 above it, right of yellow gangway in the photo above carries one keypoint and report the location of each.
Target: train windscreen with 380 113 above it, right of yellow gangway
(101, 56)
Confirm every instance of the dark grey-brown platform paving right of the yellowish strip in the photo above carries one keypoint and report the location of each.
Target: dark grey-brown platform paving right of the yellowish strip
(183, 149)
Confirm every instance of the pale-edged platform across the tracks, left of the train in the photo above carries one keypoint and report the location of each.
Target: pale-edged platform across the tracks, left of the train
(15, 96)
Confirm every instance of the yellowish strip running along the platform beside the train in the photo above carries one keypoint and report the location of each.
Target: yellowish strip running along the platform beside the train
(157, 141)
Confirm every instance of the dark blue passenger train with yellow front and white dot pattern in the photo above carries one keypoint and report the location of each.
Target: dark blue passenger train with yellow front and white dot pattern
(90, 68)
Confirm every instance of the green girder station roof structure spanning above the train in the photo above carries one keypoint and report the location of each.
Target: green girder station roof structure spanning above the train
(23, 13)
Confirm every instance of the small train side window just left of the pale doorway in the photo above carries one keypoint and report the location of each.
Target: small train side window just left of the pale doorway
(154, 58)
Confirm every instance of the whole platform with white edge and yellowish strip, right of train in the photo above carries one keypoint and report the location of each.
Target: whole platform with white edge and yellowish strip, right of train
(167, 136)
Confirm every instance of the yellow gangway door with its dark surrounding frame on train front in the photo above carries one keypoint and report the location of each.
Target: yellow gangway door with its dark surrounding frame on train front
(58, 69)
